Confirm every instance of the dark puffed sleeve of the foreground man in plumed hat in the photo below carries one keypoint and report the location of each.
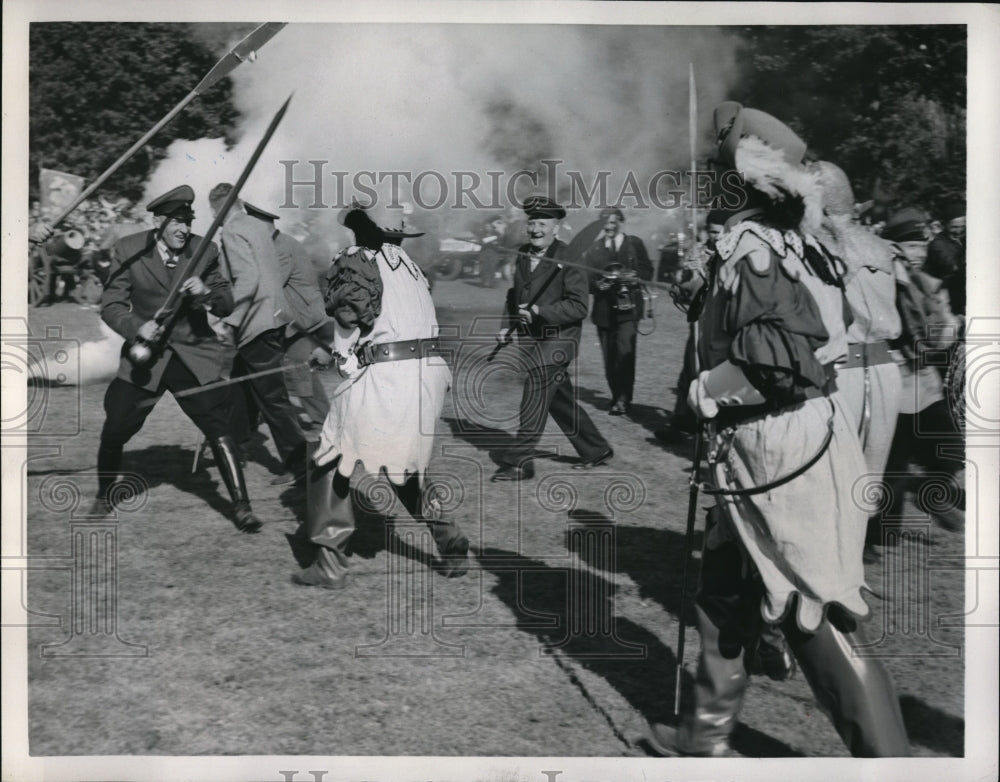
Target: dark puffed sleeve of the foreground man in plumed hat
(777, 326)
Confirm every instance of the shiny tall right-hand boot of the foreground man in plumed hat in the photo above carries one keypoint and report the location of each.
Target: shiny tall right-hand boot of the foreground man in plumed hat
(855, 691)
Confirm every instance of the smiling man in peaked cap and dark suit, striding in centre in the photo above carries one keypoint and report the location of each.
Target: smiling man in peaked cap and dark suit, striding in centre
(545, 309)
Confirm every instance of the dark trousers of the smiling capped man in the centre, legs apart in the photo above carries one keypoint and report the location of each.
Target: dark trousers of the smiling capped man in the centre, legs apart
(549, 391)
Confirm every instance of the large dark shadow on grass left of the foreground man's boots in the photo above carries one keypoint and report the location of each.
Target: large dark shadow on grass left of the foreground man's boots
(570, 610)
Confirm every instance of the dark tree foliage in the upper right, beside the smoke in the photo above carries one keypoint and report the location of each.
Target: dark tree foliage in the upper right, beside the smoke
(886, 104)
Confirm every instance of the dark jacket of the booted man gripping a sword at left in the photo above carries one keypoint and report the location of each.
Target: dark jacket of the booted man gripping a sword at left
(138, 283)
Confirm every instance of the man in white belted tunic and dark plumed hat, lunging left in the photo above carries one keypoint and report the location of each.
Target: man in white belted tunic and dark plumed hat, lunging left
(382, 416)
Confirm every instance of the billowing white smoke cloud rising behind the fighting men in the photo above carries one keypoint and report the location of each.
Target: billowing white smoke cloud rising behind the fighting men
(435, 97)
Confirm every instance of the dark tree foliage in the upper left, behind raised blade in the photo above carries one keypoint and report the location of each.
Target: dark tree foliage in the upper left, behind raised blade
(96, 88)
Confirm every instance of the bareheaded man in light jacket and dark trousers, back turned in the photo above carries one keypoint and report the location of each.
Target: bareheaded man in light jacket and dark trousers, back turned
(259, 318)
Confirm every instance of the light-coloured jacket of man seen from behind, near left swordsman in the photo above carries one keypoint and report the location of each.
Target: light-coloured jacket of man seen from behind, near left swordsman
(253, 267)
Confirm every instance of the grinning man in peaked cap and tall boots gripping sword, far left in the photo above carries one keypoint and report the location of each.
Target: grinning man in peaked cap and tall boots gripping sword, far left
(143, 269)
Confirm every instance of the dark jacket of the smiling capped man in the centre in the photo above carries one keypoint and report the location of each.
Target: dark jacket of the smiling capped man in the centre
(553, 336)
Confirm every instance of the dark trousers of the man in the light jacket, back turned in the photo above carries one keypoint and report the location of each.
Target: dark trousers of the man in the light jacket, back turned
(269, 395)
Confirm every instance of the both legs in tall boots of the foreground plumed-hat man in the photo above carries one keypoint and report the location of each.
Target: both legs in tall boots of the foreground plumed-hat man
(855, 691)
